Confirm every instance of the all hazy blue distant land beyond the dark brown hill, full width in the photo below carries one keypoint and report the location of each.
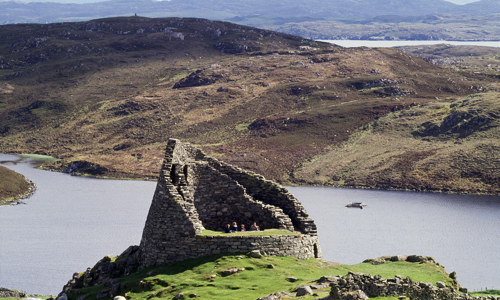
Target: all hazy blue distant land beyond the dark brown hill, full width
(282, 14)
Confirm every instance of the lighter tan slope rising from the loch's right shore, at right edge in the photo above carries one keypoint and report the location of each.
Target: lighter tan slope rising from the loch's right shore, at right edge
(413, 149)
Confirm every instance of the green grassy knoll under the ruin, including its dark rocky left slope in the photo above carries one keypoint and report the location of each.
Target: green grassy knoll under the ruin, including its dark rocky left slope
(243, 277)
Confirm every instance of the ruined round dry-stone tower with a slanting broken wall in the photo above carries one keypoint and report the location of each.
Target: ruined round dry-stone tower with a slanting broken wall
(197, 192)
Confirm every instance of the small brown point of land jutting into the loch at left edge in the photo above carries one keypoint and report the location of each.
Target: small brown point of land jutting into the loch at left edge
(13, 186)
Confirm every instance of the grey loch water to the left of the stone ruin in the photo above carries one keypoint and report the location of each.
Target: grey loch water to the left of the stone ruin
(68, 224)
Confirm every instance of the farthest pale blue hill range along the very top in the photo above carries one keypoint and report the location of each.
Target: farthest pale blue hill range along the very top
(227, 9)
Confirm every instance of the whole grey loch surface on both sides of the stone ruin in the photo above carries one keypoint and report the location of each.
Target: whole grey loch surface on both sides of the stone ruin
(72, 222)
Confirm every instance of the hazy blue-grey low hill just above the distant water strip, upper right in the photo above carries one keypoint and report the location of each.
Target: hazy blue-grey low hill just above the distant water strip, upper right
(392, 27)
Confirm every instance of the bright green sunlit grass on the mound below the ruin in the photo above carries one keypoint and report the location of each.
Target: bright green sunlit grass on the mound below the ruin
(205, 278)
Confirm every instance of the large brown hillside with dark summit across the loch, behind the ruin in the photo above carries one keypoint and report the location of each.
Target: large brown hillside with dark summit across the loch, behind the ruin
(106, 94)
